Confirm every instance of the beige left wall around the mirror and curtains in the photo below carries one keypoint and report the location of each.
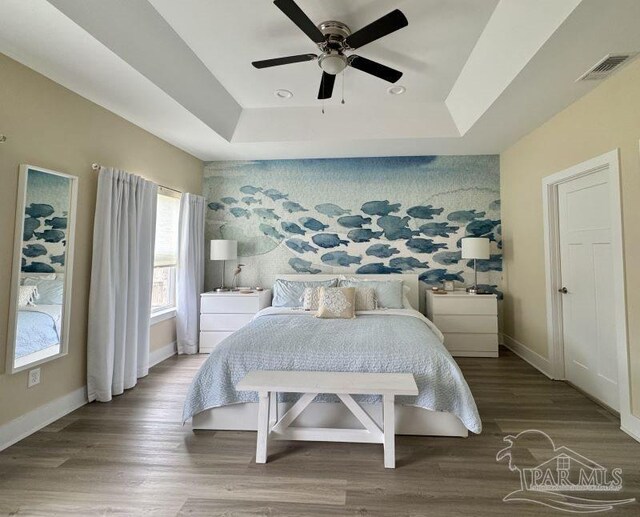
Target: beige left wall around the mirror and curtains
(49, 126)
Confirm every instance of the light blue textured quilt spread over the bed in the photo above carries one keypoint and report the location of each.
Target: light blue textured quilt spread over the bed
(388, 342)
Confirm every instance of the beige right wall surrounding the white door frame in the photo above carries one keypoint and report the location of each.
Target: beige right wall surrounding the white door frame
(606, 119)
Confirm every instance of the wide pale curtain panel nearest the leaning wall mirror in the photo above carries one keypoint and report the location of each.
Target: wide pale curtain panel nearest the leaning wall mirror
(121, 282)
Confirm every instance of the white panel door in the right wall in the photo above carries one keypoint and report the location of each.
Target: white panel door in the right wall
(587, 274)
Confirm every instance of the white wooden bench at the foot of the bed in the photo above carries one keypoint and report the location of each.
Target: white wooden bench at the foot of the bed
(343, 384)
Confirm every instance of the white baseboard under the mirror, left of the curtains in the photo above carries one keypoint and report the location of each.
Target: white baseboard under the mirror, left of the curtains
(33, 421)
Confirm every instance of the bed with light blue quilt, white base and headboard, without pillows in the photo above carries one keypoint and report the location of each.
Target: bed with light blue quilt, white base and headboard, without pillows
(389, 340)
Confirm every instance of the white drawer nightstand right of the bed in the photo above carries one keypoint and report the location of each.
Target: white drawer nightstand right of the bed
(469, 322)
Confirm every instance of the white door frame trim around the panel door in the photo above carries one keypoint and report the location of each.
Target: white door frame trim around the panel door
(550, 203)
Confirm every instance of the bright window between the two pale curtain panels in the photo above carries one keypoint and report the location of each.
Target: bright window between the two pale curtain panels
(163, 295)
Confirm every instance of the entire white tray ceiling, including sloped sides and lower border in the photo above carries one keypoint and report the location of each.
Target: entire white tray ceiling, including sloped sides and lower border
(479, 73)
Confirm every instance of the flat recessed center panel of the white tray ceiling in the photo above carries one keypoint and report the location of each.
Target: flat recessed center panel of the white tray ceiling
(228, 36)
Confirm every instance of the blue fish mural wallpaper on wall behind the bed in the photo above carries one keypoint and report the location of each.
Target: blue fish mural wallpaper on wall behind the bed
(357, 216)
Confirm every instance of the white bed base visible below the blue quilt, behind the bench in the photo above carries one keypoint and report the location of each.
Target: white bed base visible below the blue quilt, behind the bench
(410, 420)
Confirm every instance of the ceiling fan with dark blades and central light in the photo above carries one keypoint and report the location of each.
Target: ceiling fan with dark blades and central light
(334, 39)
